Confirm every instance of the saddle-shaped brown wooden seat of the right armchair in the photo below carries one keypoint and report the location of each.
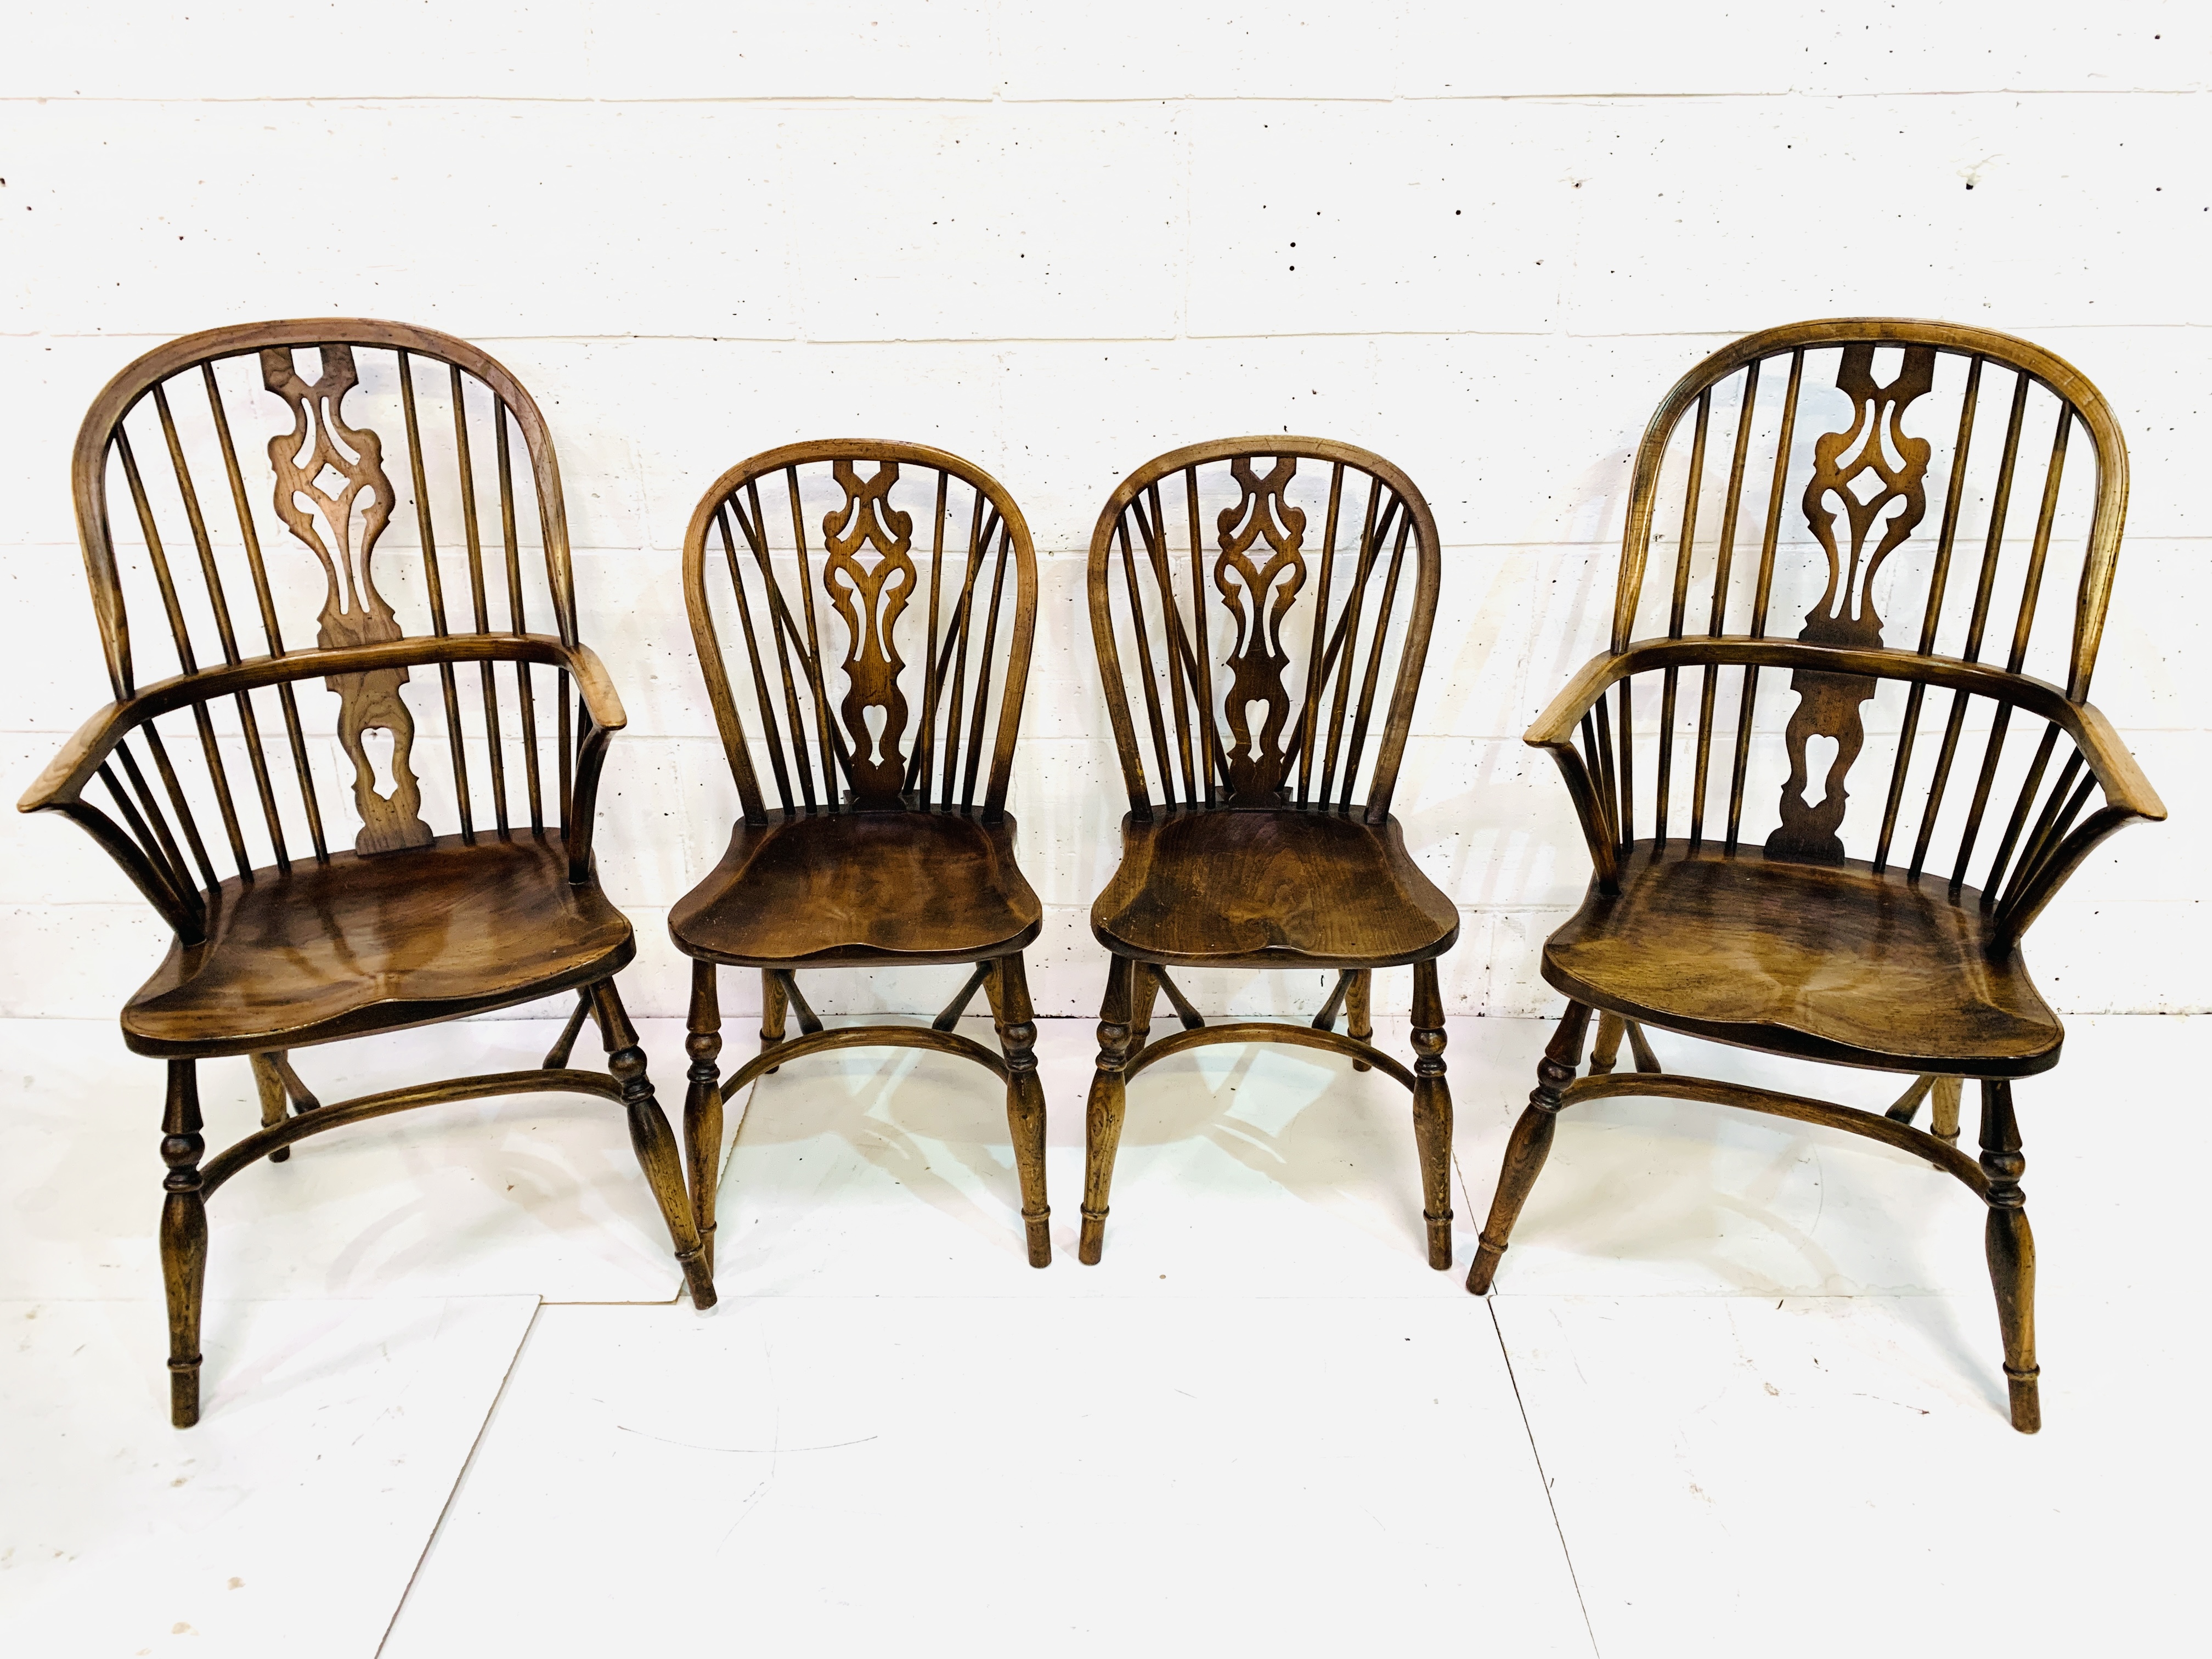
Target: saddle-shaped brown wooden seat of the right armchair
(1808, 961)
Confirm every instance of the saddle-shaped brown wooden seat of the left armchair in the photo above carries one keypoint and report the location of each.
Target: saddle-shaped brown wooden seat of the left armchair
(377, 946)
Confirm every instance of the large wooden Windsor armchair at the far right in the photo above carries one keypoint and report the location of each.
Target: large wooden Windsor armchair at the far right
(1773, 937)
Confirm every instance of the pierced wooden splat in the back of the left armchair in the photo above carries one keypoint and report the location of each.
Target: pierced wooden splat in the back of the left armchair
(328, 470)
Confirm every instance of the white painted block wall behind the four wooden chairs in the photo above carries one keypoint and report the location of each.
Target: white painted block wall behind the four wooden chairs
(1061, 240)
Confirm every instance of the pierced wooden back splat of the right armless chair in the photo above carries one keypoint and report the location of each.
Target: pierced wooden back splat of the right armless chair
(1260, 762)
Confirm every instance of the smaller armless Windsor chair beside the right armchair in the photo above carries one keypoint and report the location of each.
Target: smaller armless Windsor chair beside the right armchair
(1249, 859)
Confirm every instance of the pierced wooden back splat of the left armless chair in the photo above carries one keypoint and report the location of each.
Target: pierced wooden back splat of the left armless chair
(868, 574)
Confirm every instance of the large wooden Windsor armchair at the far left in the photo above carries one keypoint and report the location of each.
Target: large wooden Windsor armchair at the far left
(309, 943)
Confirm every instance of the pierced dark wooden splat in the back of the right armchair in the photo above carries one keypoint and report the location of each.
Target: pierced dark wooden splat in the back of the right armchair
(1859, 488)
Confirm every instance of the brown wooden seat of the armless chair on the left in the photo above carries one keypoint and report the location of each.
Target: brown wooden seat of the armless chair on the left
(862, 888)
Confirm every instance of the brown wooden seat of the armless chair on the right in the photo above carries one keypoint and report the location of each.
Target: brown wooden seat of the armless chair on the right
(1273, 888)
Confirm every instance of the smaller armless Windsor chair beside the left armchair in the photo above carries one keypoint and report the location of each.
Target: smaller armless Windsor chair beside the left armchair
(890, 842)
